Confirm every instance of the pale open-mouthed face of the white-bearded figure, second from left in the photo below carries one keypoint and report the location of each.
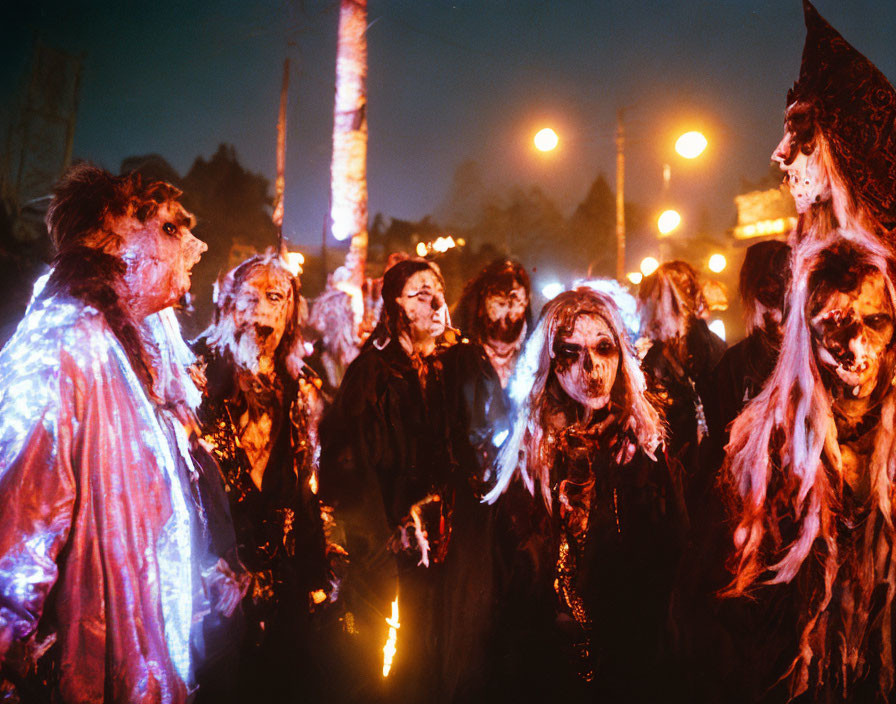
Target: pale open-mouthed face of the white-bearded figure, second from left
(262, 308)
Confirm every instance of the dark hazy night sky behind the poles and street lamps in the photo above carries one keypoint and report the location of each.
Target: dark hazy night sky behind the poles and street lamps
(449, 81)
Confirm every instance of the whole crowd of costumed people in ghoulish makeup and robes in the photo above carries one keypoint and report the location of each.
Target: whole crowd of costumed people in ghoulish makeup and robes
(512, 509)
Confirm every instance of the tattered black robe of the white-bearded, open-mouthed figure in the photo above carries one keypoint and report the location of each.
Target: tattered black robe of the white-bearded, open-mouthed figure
(278, 527)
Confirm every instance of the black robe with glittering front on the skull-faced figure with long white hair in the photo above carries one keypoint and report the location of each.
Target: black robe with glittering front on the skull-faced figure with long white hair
(592, 579)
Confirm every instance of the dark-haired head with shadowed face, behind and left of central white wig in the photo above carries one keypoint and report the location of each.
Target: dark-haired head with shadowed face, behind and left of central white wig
(494, 311)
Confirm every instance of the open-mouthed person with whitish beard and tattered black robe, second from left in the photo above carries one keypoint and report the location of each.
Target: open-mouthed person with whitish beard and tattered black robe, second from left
(259, 413)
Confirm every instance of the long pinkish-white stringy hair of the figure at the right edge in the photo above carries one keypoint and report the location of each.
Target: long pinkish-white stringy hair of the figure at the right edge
(784, 463)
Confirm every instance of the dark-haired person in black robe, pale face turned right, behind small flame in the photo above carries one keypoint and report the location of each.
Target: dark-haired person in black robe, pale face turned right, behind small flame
(396, 467)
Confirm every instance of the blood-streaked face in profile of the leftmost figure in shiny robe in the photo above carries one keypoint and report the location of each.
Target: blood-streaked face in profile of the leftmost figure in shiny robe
(159, 255)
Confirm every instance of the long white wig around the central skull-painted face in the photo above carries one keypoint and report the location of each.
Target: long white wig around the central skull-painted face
(531, 445)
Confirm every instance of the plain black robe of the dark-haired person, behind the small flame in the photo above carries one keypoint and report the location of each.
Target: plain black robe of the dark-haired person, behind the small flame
(388, 442)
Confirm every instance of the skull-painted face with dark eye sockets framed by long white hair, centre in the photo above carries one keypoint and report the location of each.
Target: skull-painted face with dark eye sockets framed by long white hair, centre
(586, 361)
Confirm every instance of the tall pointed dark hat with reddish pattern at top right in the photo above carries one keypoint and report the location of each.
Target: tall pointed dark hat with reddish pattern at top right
(854, 105)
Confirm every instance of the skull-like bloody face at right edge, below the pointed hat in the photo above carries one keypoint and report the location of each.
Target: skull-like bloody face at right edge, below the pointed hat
(852, 332)
